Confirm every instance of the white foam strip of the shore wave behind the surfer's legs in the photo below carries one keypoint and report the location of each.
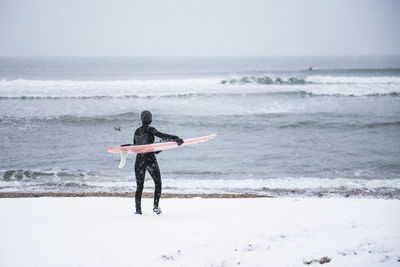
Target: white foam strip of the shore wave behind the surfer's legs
(257, 185)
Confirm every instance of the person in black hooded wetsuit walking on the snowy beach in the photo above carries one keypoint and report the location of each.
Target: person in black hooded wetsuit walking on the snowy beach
(144, 135)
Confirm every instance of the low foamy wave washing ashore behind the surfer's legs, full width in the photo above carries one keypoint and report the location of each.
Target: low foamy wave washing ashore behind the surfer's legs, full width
(79, 182)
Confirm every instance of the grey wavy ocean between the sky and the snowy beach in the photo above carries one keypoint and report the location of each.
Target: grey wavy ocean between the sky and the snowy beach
(285, 126)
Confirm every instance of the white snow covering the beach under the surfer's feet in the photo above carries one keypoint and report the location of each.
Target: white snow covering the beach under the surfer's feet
(199, 232)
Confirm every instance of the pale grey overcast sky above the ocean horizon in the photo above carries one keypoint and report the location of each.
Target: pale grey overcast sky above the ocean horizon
(199, 28)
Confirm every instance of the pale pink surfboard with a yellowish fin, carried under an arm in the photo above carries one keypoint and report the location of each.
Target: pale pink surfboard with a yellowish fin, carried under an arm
(125, 150)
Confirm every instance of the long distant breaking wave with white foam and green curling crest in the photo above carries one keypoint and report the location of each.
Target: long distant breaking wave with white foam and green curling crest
(202, 87)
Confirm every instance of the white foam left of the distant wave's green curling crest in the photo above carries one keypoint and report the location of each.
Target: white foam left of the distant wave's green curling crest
(113, 88)
